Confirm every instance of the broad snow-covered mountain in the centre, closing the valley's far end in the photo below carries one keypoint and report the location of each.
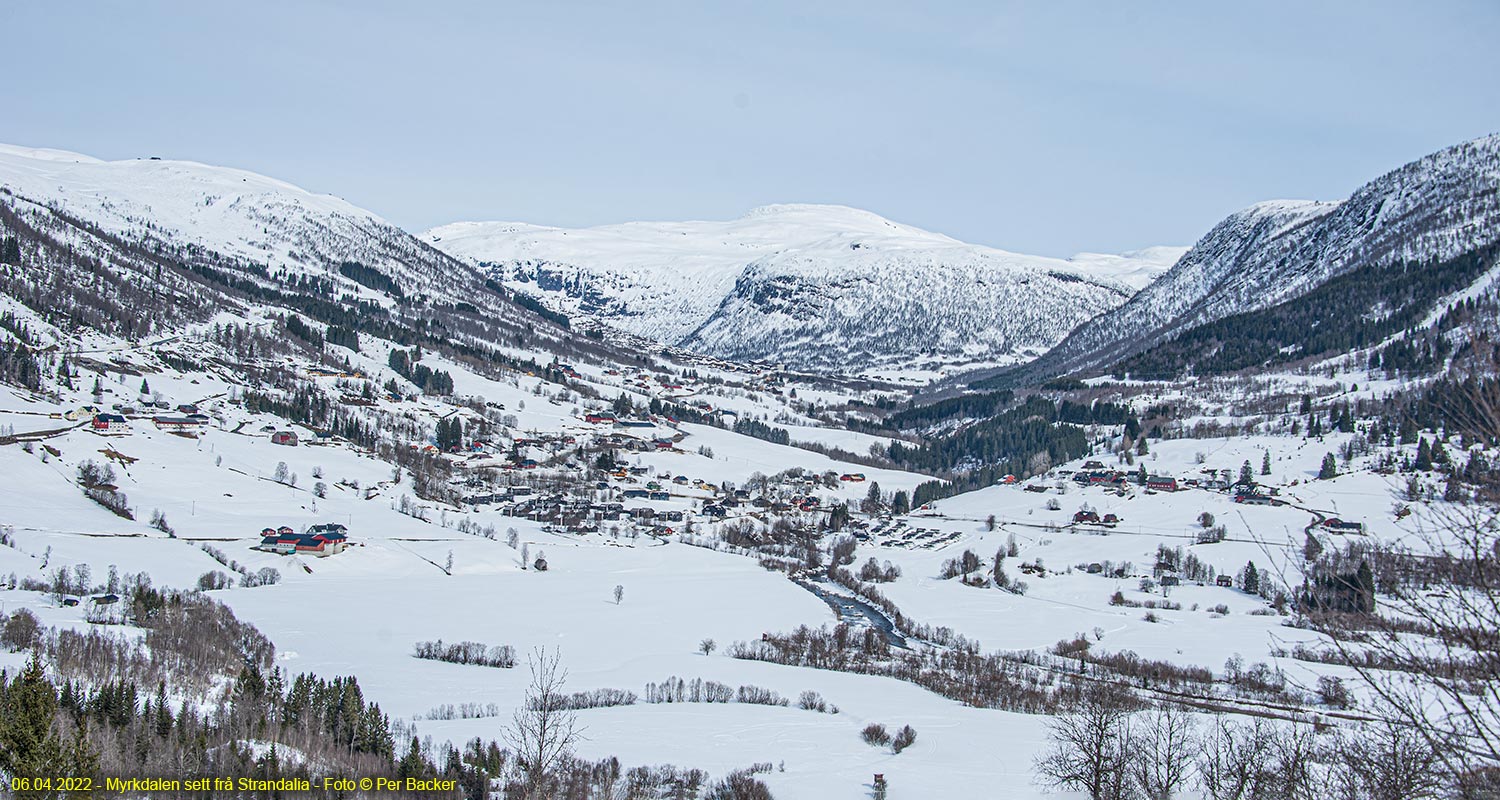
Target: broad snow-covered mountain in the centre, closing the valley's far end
(817, 287)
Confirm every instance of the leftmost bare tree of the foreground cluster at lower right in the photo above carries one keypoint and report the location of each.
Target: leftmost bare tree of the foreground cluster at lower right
(1088, 748)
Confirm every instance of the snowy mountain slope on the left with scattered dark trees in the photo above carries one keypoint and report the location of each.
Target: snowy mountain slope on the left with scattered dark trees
(143, 247)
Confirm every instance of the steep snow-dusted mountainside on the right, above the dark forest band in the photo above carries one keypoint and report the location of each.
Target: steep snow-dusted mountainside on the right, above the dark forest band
(1436, 208)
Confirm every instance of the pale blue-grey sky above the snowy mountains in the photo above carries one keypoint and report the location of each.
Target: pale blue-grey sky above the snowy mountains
(1040, 127)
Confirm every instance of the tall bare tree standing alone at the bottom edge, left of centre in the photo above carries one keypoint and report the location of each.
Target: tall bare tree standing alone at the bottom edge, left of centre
(544, 730)
